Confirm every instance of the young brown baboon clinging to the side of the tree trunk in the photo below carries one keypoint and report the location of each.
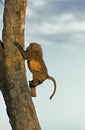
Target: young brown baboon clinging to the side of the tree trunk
(34, 56)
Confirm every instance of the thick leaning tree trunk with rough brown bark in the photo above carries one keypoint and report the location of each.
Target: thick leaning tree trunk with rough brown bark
(20, 108)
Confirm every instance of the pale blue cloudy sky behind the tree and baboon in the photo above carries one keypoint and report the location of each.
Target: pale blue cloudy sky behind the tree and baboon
(59, 26)
